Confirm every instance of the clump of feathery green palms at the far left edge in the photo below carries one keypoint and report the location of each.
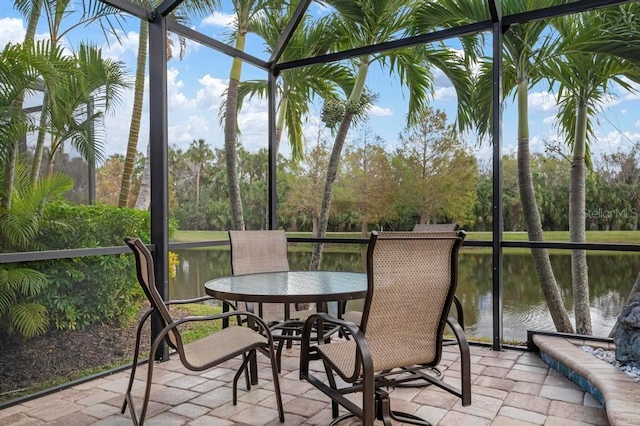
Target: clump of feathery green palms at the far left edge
(77, 87)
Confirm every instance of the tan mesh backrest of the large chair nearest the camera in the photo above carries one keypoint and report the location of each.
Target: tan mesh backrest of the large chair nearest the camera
(412, 278)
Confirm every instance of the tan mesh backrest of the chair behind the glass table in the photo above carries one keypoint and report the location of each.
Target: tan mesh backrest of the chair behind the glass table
(258, 251)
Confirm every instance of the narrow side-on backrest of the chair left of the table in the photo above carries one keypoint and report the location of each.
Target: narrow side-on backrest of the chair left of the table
(146, 278)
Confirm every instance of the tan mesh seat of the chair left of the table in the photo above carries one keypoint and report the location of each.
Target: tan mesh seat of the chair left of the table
(218, 346)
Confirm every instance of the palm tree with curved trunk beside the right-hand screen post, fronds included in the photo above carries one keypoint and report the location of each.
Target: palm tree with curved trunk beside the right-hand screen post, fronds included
(524, 52)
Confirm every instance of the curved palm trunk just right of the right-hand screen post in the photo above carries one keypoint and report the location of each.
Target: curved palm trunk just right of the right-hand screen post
(531, 215)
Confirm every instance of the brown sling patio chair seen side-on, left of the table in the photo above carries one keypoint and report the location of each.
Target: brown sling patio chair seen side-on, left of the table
(201, 354)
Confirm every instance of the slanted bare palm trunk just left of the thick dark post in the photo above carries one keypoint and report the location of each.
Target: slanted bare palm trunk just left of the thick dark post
(136, 114)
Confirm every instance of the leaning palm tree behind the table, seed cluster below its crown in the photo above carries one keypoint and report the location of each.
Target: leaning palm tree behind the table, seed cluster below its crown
(369, 22)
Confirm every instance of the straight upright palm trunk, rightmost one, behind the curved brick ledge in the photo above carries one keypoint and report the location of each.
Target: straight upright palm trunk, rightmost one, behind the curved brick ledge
(577, 234)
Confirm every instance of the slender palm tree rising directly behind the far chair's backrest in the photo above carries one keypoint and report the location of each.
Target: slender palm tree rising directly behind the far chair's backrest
(246, 11)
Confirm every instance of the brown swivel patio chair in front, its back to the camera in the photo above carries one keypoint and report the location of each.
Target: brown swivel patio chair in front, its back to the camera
(412, 278)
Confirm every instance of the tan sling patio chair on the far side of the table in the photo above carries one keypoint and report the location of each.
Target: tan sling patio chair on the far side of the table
(266, 251)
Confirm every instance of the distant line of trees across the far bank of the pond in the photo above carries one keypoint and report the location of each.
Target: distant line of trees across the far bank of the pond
(430, 176)
